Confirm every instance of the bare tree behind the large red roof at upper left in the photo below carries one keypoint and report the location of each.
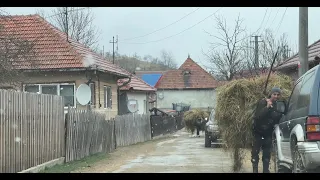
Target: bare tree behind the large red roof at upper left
(78, 24)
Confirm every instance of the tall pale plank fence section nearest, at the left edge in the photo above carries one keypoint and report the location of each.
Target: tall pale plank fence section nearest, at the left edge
(31, 130)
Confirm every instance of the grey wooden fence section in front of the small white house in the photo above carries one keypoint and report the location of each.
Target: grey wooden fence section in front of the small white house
(132, 128)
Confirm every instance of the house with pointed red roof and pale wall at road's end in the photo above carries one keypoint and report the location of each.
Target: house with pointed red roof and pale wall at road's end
(188, 85)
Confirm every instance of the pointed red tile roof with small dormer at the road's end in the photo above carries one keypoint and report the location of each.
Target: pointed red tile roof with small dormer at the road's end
(198, 78)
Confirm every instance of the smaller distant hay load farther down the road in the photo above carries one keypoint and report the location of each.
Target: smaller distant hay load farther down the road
(191, 117)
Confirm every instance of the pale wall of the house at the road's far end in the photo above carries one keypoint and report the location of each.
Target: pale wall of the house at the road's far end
(197, 98)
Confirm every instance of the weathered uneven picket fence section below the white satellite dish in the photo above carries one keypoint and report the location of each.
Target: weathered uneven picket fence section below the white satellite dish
(88, 133)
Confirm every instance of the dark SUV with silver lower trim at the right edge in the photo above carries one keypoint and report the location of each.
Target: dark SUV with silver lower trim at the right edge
(297, 137)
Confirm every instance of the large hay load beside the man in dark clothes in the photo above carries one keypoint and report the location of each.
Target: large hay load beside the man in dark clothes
(235, 106)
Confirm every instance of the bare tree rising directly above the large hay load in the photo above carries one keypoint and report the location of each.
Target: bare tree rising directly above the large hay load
(226, 55)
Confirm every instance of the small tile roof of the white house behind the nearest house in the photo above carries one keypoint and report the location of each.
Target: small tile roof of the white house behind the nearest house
(135, 84)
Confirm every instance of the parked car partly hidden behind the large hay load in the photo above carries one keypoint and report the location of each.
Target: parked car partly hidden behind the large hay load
(212, 135)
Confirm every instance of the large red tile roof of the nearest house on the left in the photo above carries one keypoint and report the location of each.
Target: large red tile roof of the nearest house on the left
(50, 47)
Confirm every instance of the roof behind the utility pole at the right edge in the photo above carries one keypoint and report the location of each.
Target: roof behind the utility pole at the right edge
(313, 52)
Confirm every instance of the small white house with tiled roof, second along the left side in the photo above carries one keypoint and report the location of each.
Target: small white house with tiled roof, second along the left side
(137, 93)
